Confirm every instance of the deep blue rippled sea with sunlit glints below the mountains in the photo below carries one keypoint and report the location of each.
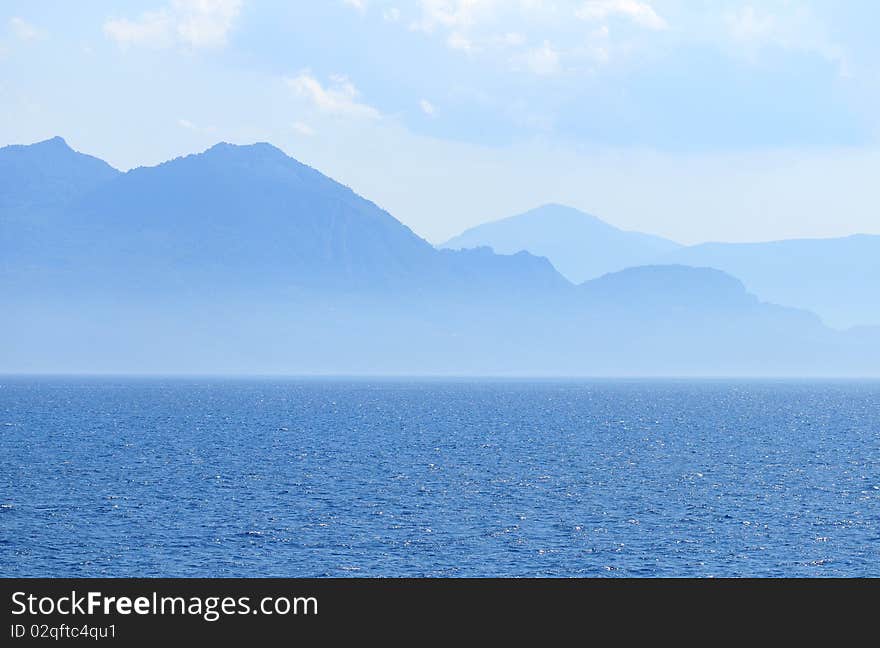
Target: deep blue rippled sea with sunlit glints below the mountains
(222, 477)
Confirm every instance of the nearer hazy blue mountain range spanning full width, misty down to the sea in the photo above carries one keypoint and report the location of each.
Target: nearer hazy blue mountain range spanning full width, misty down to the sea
(242, 260)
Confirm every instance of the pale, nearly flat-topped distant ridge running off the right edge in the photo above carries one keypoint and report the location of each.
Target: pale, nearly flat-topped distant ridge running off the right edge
(839, 279)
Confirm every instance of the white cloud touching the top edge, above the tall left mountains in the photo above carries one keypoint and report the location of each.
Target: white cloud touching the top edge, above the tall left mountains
(190, 23)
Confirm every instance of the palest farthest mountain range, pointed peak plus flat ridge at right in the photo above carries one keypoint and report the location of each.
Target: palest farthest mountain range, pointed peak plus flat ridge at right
(838, 278)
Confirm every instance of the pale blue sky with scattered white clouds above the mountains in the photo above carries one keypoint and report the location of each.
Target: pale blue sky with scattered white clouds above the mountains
(725, 120)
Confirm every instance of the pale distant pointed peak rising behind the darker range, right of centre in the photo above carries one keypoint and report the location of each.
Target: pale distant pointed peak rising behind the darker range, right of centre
(580, 246)
